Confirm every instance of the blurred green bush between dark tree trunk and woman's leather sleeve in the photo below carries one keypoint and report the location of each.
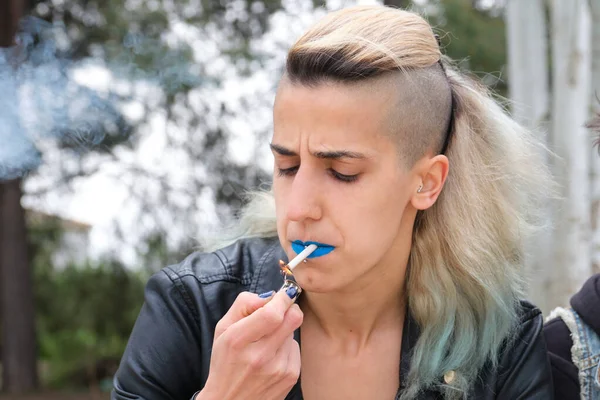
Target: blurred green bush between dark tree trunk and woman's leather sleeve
(84, 313)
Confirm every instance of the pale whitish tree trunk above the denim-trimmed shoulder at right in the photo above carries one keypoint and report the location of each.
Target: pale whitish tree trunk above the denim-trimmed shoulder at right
(571, 70)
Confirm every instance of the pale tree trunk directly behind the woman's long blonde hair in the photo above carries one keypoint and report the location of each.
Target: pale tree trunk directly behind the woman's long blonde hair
(526, 34)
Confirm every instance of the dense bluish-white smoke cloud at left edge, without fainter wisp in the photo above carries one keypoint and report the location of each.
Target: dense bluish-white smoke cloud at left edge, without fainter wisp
(40, 101)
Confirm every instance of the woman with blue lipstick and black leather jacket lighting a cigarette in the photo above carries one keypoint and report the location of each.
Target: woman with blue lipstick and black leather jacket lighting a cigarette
(419, 189)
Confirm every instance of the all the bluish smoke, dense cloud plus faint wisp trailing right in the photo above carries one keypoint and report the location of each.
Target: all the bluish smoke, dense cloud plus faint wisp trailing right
(41, 101)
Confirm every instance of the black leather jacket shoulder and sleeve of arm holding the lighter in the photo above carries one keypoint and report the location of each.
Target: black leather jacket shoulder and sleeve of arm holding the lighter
(183, 303)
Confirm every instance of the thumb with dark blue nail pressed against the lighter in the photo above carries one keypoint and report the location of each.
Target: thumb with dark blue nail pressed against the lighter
(263, 321)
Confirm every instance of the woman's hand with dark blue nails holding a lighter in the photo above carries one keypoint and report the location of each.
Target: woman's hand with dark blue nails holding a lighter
(254, 354)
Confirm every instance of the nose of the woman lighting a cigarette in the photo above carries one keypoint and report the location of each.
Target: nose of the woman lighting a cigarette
(304, 197)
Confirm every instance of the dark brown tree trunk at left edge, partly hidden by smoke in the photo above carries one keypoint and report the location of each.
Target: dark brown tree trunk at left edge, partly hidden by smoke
(19, 371)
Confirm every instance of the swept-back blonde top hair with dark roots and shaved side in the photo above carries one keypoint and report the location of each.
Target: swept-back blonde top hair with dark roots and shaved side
(348, 48)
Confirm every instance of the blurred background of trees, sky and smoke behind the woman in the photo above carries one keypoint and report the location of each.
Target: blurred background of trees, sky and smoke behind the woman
(131, 128)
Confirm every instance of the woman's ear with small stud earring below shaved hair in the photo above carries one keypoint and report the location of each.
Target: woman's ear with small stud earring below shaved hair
(432, 174)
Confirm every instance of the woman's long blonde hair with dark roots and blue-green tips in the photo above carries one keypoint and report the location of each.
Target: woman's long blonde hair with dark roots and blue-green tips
(464, 280)
